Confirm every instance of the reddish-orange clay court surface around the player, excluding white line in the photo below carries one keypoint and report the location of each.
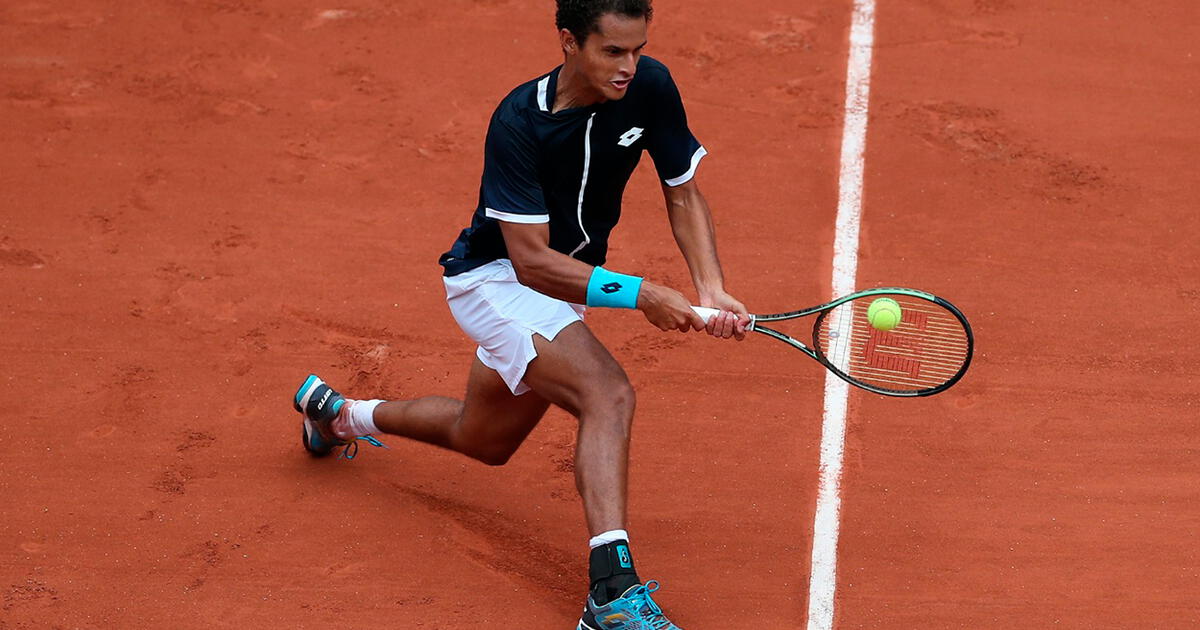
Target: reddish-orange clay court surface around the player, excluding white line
(203, 201)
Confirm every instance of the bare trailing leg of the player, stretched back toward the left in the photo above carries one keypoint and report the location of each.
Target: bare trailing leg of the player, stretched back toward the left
(489, 427)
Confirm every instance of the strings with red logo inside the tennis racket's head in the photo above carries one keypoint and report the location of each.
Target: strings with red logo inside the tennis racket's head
(927, 350)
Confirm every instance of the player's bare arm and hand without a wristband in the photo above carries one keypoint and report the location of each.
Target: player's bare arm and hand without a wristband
(692, 223)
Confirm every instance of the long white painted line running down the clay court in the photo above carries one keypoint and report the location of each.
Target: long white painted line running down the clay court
(824, 580)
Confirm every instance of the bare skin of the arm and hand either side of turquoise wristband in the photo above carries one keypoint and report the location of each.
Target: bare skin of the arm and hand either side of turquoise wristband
(561, 277)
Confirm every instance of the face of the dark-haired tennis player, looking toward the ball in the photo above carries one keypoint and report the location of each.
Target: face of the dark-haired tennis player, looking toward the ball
(609, 58)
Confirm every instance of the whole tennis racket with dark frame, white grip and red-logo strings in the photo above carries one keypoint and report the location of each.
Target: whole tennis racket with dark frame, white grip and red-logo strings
(925, 355)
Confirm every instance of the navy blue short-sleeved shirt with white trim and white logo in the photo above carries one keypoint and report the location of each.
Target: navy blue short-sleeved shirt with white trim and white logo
(571, 169)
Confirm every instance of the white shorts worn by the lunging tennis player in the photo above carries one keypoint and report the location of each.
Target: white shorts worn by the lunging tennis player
(502, 316)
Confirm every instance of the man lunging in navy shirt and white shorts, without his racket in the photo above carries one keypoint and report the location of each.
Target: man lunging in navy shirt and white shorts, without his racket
(559, 155)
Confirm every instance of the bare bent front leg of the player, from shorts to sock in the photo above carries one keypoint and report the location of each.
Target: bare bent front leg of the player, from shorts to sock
(578, 374)
